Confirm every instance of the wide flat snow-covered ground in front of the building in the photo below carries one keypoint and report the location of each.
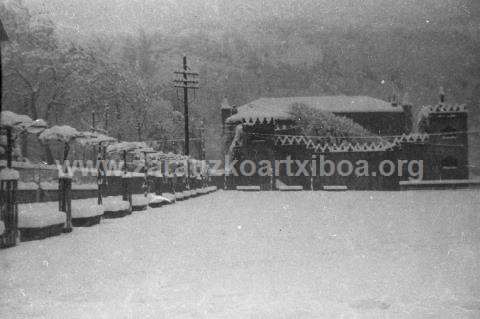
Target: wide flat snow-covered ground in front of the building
(260, 255)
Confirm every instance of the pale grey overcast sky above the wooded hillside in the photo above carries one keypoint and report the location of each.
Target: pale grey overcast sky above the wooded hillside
(165, 15)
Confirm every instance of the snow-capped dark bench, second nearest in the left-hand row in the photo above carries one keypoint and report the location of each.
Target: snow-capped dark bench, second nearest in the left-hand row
(86, 212)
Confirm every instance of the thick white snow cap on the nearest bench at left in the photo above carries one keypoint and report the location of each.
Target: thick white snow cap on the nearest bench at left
(39, 215)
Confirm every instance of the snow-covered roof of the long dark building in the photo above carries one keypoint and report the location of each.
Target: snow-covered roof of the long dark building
(279, 108)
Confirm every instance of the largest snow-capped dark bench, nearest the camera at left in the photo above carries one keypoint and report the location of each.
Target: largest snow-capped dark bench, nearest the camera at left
(40, 220)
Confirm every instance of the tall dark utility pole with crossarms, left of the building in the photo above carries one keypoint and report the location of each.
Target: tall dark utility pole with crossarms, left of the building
(187, 81)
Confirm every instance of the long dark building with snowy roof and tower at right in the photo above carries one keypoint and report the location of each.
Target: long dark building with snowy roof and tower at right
(265, 130)
